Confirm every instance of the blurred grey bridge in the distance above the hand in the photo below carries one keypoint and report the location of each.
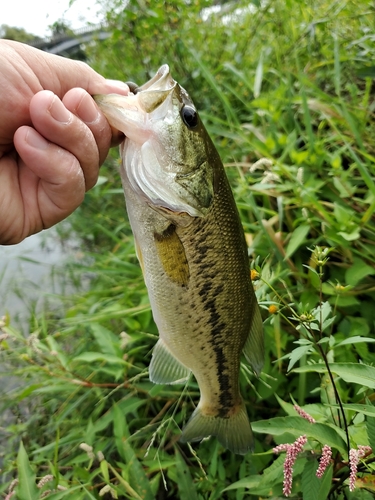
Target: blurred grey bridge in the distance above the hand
(65, 43)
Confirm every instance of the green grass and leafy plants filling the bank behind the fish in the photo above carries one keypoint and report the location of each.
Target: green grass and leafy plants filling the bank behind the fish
(286, 91)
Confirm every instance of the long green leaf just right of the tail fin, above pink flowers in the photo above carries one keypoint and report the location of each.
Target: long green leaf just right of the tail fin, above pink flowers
(297, 426)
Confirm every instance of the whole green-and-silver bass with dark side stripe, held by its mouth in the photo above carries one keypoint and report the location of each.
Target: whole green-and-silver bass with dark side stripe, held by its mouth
(191, 247)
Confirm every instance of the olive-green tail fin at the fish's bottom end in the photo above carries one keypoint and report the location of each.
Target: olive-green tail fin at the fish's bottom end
(232, 432)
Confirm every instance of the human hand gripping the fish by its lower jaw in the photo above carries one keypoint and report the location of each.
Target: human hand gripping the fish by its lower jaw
(53, 138)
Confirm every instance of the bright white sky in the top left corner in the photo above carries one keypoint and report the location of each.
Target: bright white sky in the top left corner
(36, 15)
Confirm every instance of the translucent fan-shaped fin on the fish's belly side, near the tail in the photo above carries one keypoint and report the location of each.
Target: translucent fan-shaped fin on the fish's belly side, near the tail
(164, 367)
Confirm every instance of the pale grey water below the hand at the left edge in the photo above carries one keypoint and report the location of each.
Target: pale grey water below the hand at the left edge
(32, 276)
